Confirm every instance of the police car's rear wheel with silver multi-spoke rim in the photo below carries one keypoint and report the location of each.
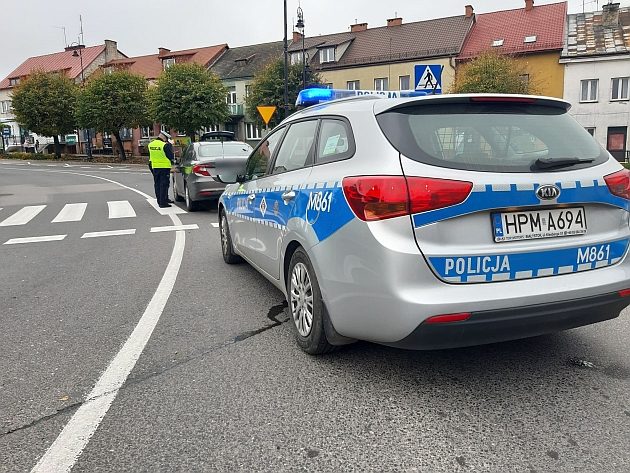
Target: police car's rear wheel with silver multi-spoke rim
(306, 307)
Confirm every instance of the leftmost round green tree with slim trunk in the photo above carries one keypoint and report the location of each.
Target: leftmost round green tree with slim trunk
(45, 104)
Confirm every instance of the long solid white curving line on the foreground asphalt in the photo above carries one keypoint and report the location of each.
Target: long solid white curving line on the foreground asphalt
(65, 450)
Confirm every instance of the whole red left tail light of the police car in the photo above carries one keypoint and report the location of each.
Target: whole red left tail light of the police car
(381, 197)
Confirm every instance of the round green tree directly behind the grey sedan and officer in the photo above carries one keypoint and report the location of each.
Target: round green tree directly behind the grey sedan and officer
(188, 97)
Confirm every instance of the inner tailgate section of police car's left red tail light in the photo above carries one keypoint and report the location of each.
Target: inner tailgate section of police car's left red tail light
(431, 194)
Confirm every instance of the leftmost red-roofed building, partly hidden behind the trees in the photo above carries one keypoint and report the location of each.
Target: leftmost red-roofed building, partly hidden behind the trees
(76, 62)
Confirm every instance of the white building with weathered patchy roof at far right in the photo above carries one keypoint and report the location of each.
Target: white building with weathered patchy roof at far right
(596, 59)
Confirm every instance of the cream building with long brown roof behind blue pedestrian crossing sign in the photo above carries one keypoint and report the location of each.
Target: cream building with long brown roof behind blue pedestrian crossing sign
(386, 58)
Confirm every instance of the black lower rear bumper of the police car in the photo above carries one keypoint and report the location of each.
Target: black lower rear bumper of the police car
(510, 324)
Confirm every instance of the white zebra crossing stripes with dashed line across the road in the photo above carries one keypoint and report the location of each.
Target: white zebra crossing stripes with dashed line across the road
(117, 210)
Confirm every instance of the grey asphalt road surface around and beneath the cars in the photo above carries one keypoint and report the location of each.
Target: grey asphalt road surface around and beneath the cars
(221, 386)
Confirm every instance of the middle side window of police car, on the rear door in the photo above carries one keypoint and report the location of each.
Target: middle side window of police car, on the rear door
(296, 147)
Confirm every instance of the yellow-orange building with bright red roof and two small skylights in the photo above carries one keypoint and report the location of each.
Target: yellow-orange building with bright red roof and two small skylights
(533, 35)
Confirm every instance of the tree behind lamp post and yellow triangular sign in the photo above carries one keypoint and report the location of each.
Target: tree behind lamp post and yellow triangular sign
(268, 88)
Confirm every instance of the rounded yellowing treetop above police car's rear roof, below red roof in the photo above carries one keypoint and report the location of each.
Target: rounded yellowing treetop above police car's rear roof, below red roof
(493, 73)
